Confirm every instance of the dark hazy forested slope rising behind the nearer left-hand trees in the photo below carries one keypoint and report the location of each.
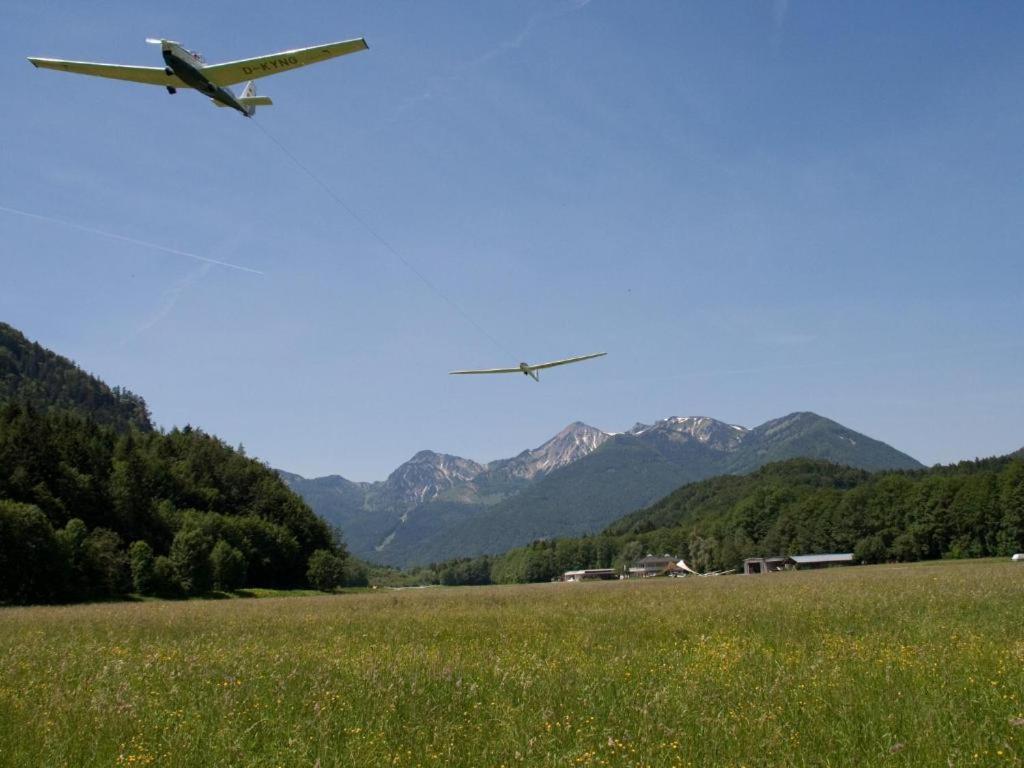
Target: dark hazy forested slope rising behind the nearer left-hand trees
(30, 373)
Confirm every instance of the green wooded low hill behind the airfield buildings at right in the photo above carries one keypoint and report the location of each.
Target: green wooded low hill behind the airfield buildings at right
(972, 509)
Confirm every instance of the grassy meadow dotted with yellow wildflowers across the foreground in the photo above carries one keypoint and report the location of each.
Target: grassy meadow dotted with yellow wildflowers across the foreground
(914, 666)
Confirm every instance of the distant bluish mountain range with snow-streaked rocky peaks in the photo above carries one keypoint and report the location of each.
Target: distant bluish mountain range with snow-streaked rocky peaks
(436, 506)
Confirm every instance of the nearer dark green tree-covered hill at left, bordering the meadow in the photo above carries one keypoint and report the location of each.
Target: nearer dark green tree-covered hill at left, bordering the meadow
(89, 513)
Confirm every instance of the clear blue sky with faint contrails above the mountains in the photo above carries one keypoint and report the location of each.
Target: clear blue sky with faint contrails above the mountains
(754, 208)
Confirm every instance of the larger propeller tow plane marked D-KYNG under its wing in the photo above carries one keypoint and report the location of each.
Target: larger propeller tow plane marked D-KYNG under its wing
(186, 69)
